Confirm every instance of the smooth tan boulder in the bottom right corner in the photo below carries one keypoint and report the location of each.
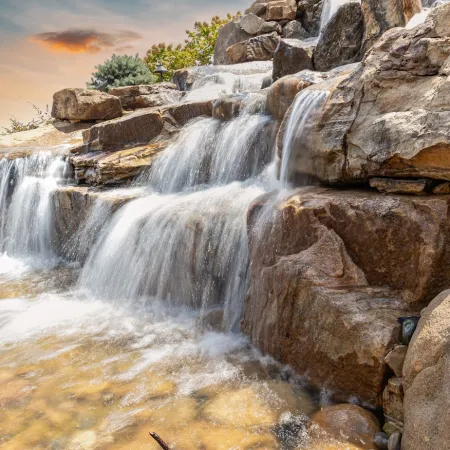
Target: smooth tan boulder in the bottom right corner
(427, 380)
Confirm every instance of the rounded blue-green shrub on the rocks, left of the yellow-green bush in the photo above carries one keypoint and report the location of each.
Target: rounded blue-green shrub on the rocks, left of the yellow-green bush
(121, 70)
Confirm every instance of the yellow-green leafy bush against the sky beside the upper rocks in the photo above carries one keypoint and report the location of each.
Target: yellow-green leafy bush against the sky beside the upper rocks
(198, 48)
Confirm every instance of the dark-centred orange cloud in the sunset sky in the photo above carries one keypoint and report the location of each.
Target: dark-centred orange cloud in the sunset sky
(85, 40)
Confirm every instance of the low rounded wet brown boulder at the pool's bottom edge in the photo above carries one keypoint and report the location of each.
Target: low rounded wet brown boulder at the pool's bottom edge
(348, 423)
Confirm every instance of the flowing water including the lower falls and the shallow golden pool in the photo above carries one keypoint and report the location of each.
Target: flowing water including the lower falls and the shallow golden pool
(138, 330)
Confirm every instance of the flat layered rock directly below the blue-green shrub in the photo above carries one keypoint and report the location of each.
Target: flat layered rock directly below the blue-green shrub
(147, 96)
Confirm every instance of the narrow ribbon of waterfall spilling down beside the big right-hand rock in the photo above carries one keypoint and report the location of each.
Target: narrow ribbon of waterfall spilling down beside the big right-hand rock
(301, 134)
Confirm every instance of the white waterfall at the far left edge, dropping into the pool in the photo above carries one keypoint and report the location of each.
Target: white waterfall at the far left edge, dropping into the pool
(26, 185)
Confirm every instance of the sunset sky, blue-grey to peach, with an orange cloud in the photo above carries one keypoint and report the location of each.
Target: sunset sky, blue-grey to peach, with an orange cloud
(47, 45)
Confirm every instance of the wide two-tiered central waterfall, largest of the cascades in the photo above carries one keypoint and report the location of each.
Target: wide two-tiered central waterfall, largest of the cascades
(185, 243)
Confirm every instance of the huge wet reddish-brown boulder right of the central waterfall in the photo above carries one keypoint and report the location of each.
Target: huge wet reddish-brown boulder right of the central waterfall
(331, 272)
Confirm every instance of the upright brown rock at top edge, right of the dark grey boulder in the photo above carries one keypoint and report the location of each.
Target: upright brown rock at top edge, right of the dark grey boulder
(382, 15)
